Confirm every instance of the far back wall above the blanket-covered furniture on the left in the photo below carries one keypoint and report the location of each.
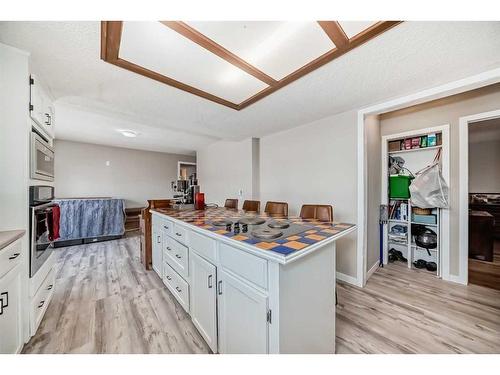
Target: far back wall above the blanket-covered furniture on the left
(133, 175)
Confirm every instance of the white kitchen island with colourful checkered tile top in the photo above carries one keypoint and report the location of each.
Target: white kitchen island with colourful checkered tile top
(251, 283)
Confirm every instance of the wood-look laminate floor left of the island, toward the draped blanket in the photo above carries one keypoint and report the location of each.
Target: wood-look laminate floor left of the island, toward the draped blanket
(105, 302)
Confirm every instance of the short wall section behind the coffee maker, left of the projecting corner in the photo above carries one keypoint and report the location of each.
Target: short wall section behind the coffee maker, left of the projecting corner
(224, 168)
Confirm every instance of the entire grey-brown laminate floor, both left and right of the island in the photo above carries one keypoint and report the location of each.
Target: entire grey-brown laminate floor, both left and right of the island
(105, 302)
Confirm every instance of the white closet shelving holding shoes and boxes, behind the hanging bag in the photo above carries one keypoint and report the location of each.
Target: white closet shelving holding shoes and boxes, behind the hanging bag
(415, 159)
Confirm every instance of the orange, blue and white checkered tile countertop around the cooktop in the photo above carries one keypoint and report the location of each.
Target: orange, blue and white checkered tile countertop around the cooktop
(320, 232)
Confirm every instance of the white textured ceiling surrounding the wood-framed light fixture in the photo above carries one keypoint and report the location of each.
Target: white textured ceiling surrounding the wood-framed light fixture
(410, 57)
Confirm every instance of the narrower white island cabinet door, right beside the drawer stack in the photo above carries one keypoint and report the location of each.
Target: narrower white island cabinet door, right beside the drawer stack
(204, 299)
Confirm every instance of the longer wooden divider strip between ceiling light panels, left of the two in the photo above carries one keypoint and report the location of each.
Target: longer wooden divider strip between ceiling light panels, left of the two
(203, 41)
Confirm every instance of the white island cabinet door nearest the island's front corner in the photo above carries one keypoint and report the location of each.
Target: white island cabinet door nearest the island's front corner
(243, 326)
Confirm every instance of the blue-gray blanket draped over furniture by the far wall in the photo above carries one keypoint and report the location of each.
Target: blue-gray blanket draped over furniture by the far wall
(84, 218)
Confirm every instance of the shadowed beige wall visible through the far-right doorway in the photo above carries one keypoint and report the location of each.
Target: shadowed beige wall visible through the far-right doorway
(484, 167)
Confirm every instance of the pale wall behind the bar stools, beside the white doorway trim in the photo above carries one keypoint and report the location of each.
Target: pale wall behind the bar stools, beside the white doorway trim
(316, 163)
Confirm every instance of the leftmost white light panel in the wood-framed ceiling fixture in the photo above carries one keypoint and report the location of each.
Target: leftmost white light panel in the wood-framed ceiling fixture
(156, 47)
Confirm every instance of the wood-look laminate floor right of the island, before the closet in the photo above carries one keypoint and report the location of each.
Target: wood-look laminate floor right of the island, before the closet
(411, 311)
